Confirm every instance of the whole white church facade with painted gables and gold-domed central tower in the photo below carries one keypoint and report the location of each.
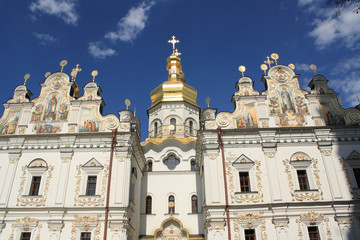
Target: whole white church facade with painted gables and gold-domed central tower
(284, 165)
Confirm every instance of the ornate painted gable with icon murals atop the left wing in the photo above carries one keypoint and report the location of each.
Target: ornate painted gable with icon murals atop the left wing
(57, 109)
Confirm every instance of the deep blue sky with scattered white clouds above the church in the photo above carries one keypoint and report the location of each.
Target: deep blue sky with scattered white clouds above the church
(126, 41)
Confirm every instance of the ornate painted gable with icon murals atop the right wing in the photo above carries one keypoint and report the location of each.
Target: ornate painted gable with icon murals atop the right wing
(282, 104)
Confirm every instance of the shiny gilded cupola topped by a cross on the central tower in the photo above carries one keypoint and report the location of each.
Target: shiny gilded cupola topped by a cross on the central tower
(174, 89)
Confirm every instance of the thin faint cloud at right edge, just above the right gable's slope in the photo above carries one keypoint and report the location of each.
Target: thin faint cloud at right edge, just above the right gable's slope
(349, 86)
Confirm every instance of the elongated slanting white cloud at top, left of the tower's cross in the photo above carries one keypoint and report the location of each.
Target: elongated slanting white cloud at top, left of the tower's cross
(133, 23)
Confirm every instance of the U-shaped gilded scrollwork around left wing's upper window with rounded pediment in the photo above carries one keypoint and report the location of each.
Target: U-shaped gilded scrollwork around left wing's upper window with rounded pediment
(24, 200)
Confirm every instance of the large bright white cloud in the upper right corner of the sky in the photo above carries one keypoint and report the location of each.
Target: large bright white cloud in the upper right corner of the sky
(344, 28)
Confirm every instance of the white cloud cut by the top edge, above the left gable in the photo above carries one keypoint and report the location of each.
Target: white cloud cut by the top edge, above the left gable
(64, 9)
